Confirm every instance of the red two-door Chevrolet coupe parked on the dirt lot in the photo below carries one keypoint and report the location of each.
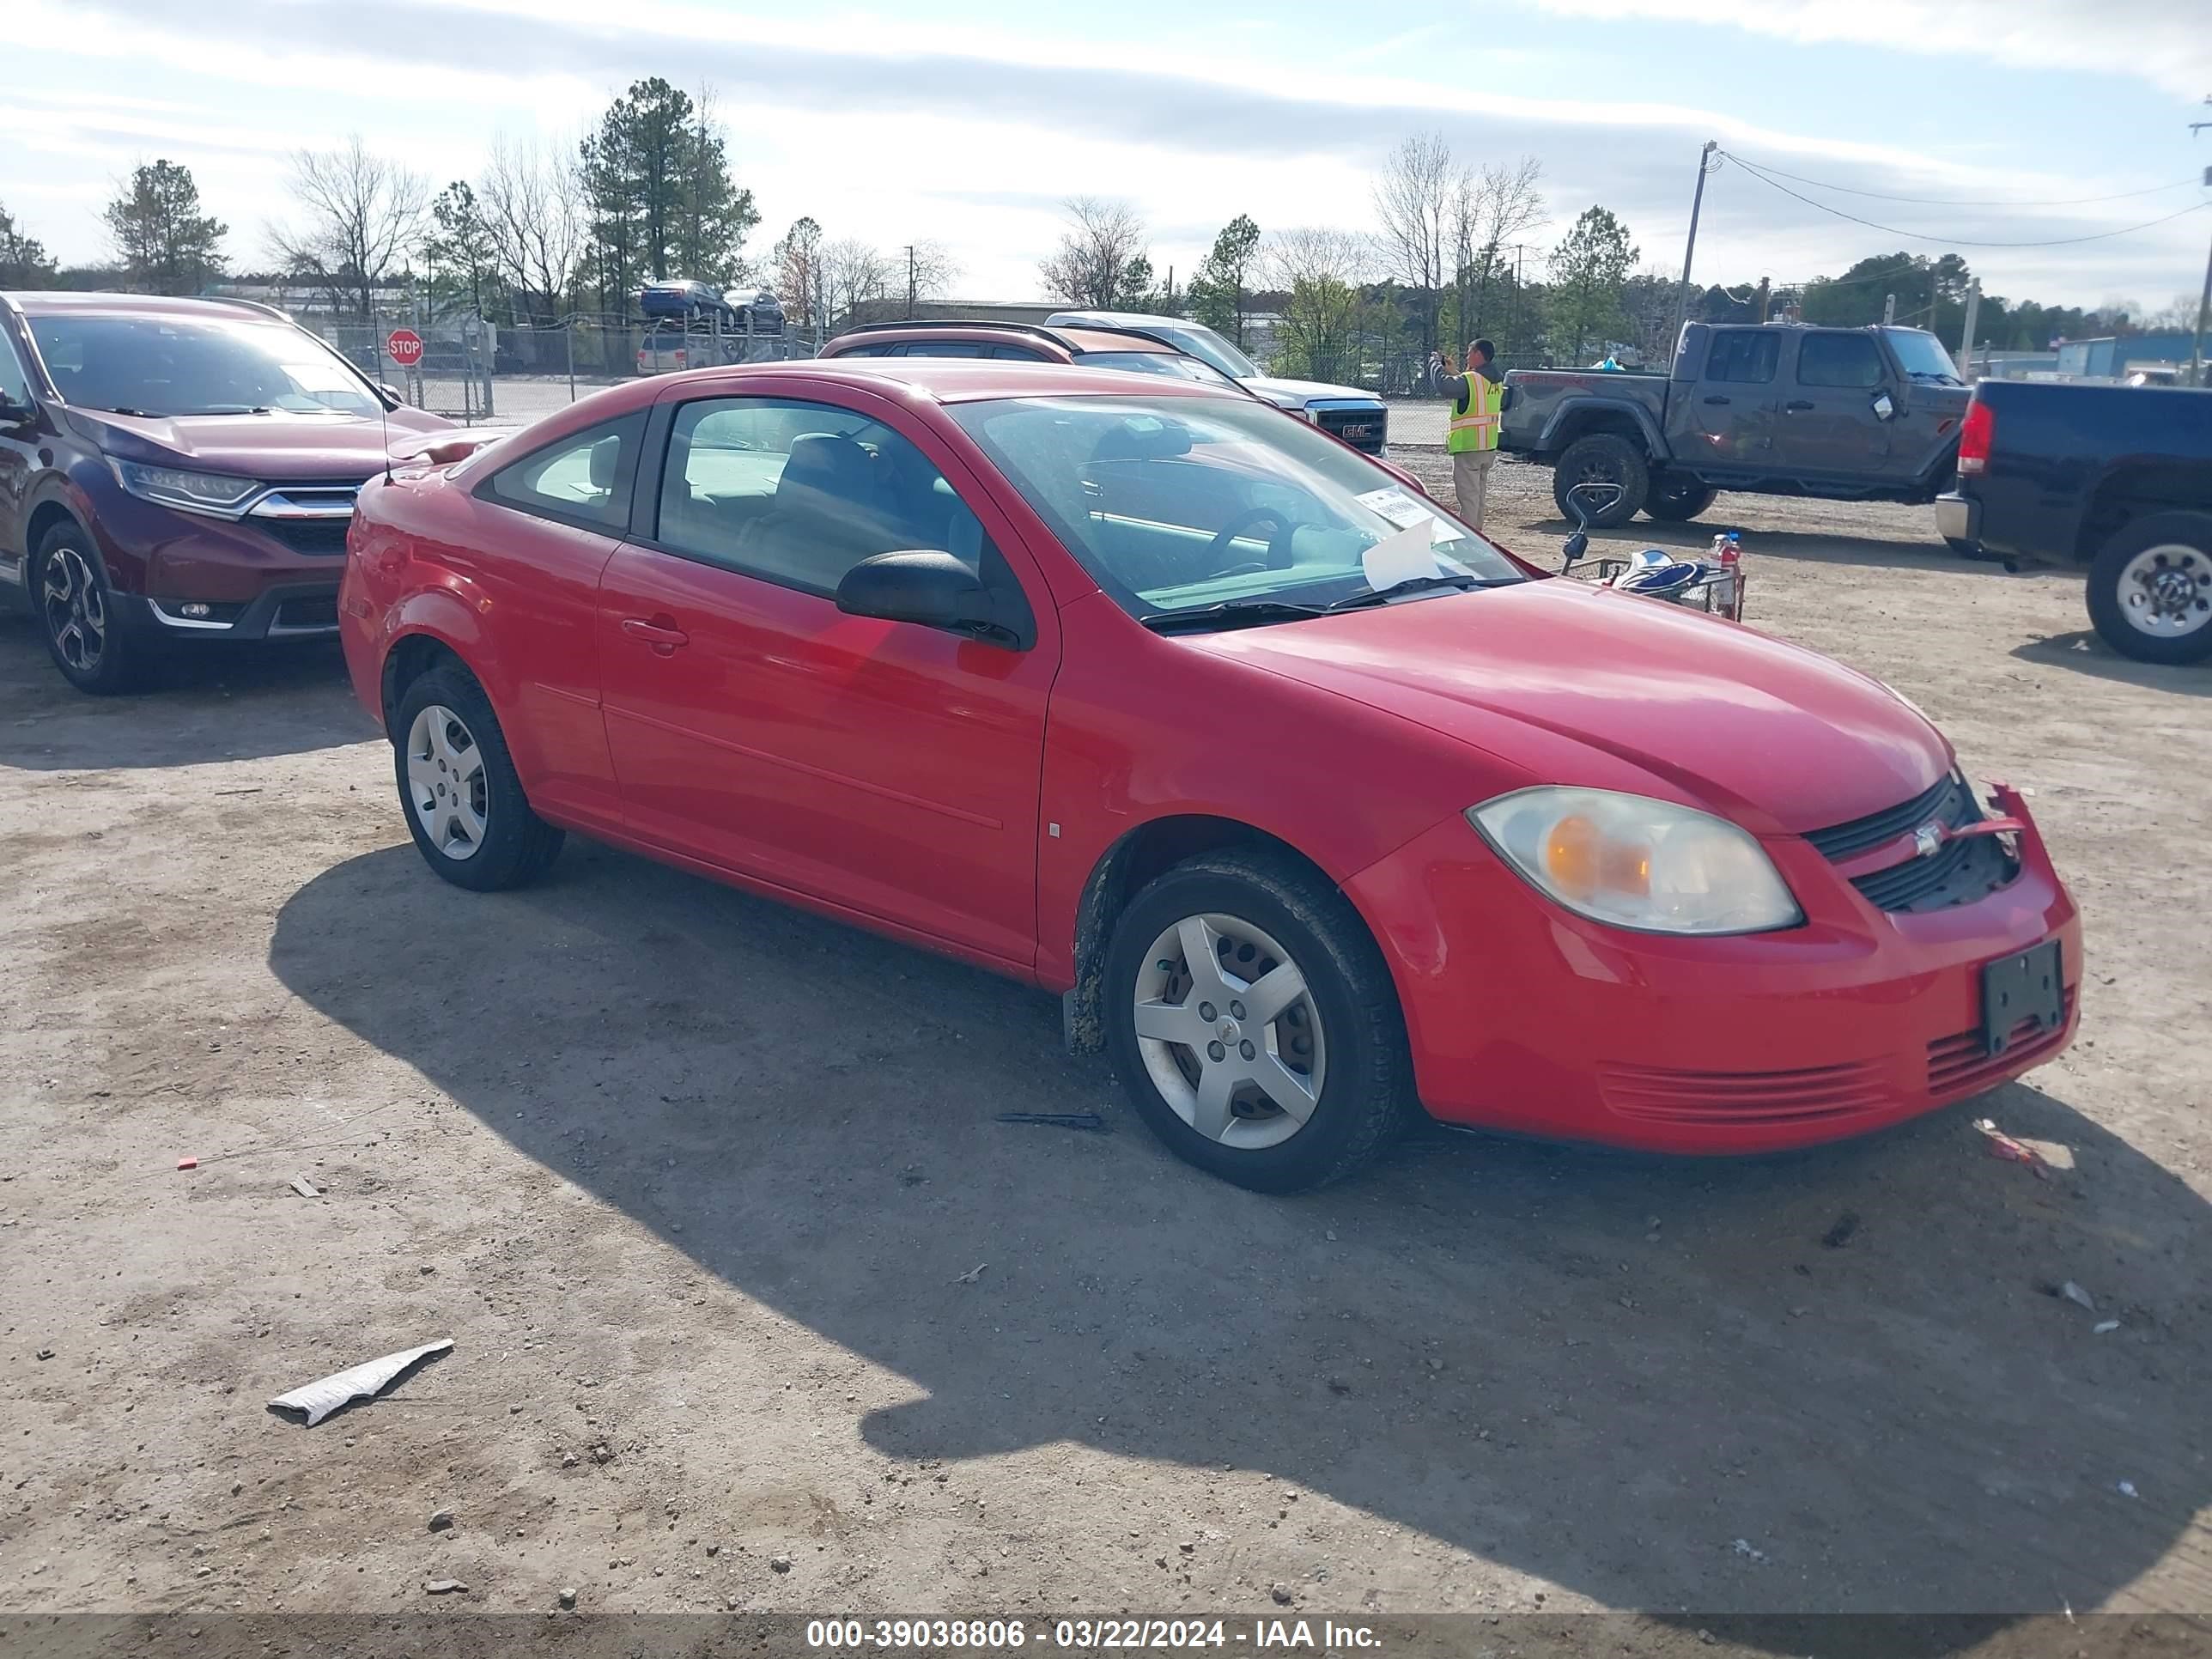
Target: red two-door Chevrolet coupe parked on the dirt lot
(1311, 804)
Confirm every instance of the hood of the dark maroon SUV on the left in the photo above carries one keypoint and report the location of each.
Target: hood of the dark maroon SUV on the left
(278, 448)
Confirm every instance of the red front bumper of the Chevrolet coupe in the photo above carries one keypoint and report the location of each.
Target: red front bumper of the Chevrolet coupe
(1534, 1021)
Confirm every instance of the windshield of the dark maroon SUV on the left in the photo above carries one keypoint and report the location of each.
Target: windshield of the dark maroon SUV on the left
(167, 366)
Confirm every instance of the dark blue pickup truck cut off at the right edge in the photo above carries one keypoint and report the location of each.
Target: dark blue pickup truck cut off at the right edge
(2111, 477)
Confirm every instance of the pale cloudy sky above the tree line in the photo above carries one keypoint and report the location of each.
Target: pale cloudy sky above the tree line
(968, 121)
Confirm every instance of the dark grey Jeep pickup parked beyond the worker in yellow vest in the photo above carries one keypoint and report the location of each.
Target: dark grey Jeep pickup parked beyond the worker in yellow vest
(1859, 415)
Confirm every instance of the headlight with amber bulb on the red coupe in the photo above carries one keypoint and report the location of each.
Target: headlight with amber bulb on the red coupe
(1638, 864)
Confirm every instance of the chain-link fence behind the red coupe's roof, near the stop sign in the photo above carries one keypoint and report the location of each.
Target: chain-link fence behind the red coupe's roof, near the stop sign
(474, 371)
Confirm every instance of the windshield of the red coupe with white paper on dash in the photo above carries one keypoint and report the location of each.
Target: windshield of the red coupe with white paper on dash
(1178, 505)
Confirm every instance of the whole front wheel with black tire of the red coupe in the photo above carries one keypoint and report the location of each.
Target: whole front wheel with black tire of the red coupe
(1255, 1023)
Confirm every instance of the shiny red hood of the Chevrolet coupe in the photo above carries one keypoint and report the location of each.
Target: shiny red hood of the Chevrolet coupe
(1578, 685)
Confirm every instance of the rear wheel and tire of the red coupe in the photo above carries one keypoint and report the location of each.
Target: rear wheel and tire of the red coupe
(459, 789)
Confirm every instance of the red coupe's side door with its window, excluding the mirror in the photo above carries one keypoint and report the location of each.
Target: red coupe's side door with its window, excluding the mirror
(884, 769)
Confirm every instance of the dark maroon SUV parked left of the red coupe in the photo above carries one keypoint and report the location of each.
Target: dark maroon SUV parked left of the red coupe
(176, 472)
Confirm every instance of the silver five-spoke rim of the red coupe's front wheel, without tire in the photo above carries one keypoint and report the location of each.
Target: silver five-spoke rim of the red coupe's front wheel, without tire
(1229, 1032)
